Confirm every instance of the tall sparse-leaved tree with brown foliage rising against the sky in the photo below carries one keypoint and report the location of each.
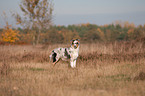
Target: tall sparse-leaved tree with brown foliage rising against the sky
(37, 14)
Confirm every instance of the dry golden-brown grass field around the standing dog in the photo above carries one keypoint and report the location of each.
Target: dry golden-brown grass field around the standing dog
(103, 69)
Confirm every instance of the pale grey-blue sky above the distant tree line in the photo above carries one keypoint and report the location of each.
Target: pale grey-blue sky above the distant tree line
(98, 12)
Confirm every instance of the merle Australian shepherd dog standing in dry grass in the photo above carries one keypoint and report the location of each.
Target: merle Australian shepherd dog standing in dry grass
(71, 53)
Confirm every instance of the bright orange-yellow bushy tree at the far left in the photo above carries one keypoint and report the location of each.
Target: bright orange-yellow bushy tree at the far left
(10, 35)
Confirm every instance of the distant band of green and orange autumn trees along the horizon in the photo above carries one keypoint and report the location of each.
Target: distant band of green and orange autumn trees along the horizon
(85, 32)
